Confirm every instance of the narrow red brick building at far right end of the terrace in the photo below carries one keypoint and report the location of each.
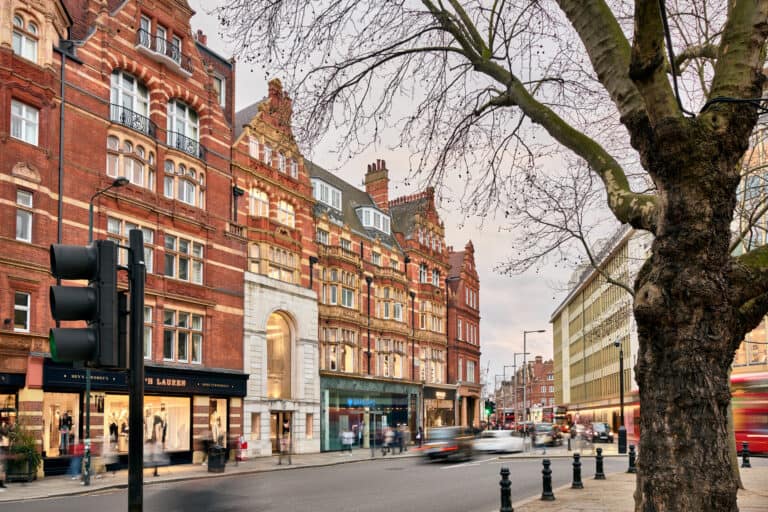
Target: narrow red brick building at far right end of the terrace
(464, 333)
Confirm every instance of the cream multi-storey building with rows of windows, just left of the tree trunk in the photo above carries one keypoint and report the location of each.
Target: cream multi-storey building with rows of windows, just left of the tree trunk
(585, 326)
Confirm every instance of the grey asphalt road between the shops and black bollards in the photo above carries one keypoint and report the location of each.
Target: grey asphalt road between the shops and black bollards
(383, 485)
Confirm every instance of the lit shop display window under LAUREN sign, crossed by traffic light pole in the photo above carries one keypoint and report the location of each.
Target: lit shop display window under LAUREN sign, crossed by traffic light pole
(166, 421)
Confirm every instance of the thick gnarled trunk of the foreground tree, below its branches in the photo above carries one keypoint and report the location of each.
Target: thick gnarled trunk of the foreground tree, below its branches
(686, 330)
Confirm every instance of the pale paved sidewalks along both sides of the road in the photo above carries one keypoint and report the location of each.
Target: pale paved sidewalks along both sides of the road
(610, 495)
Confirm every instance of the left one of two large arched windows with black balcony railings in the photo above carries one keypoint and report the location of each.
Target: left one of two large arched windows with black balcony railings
(129, 102)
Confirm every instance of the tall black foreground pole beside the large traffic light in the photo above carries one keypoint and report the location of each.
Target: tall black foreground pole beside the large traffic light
(136, 272)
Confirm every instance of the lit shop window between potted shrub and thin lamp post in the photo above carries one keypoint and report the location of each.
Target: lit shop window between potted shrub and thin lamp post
(61, 416)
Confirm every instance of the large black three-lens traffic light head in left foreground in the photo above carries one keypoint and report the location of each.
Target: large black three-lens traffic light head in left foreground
(96, 304)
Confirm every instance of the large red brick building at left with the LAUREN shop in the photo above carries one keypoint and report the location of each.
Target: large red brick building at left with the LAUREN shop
(145, 100)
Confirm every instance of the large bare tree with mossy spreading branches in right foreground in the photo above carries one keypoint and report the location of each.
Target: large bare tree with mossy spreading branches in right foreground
(493, 87)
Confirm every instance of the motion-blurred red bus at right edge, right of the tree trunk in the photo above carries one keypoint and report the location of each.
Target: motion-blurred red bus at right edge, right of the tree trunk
(750, 410)
